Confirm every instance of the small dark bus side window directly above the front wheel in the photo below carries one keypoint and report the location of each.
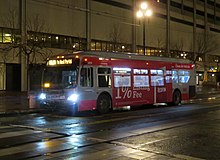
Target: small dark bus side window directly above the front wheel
(104, 77)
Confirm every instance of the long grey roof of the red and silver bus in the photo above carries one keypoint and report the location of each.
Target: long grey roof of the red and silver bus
(125, 55)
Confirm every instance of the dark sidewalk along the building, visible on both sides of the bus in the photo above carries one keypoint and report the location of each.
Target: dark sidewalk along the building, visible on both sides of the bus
(18, 103)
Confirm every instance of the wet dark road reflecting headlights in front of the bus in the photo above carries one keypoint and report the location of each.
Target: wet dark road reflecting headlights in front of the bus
(189, 131)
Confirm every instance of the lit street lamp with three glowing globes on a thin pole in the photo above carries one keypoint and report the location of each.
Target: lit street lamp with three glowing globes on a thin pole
(144, 12)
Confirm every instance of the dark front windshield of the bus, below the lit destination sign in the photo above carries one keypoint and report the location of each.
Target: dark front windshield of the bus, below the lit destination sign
(60, 77)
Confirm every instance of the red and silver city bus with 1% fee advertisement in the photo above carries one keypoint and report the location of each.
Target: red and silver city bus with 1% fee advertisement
(103, 81)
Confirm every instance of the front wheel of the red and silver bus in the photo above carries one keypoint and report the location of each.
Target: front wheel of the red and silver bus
(103, 103)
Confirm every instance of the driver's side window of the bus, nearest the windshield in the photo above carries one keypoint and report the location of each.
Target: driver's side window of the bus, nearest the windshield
(86, 77)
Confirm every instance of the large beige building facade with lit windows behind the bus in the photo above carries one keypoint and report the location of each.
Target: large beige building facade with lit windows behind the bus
(32, 30)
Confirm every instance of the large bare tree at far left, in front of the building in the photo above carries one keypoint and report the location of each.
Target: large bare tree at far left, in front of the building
(34, 46)
